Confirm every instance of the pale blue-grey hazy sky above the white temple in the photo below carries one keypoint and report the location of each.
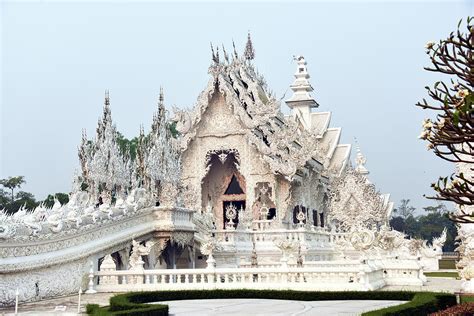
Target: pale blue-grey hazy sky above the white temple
(365, 59)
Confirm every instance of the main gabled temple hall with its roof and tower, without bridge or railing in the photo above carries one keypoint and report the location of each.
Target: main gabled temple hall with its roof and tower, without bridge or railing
(237, 133)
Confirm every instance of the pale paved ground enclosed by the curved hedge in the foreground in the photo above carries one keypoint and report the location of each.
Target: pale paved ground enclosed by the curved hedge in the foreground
(265, 307)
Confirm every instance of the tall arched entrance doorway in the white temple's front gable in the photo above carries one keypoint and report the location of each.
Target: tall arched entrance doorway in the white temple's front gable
(224, 188)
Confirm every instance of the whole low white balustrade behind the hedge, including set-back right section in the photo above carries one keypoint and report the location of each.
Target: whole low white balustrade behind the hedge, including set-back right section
(314, 276)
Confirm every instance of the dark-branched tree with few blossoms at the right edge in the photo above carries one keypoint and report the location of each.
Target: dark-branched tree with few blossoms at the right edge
(451, 134)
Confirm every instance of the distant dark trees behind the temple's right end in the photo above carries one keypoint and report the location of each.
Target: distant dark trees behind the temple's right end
(426, 226)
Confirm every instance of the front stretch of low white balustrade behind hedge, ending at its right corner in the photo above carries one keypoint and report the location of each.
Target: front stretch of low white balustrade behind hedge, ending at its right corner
(356, 277)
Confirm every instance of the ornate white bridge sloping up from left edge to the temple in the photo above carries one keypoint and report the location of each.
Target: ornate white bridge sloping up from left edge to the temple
(47, 264)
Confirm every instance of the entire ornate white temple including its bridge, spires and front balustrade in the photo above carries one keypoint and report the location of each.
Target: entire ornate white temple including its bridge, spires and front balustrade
(243, 196)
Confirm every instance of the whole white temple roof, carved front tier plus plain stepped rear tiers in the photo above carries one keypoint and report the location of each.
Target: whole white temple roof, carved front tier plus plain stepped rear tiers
(284, 144)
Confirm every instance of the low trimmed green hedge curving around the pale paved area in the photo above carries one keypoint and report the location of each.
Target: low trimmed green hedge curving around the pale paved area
(134, 303)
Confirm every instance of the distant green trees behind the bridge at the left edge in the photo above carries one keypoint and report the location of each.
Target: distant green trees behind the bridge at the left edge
(12, 202)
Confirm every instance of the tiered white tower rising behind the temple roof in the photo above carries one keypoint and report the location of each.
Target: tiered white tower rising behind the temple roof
(301, 101)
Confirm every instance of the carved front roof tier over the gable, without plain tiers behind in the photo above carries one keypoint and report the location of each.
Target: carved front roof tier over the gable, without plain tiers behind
(284, 146)
